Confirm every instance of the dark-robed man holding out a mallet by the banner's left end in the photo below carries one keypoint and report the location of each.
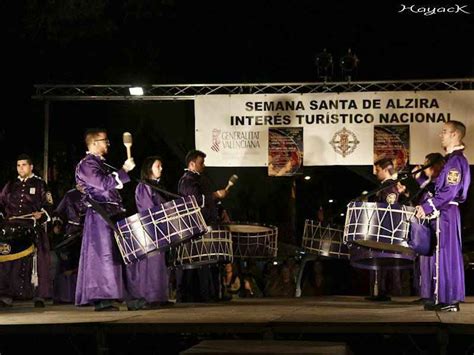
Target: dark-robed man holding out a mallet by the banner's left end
(200, 284)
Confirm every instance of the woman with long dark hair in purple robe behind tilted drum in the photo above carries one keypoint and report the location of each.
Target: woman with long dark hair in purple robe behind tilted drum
(147, 279)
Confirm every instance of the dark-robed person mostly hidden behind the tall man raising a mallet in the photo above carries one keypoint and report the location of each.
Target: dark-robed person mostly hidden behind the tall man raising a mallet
(68, 221)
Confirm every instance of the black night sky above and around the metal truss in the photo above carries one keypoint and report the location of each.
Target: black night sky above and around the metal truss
(173, 41)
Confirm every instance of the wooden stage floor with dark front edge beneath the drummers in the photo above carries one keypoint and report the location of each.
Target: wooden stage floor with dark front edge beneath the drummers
(399, 326)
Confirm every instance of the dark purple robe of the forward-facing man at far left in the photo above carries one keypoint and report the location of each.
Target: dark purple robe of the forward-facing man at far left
(18, 198)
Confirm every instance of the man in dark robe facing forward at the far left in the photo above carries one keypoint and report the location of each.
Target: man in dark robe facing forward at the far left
(26, 200)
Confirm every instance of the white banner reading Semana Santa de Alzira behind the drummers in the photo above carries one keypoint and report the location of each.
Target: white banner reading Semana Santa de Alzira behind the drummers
(338, 129)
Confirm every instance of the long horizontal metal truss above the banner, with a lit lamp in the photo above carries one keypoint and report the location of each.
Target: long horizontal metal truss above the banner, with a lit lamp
(190, 91)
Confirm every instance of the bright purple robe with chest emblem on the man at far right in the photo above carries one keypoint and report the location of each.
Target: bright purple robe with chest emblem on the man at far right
(450, 190)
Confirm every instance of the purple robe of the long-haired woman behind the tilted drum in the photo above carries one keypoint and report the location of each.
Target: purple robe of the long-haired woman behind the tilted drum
(148, 278)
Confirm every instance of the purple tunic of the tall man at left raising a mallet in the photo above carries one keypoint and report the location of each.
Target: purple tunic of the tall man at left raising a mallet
(100, 266)
